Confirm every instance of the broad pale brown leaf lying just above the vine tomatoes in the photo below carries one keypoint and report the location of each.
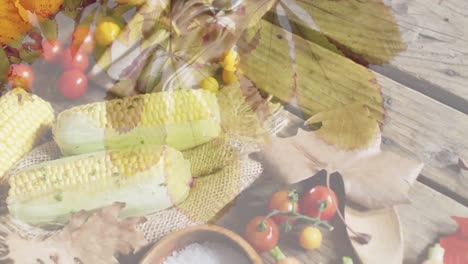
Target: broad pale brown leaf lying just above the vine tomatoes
(373, 178)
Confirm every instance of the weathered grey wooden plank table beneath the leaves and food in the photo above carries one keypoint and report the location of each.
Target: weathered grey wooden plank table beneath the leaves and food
(428, 125)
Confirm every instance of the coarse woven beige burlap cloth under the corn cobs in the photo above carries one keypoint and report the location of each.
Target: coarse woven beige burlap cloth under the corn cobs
(209, 195)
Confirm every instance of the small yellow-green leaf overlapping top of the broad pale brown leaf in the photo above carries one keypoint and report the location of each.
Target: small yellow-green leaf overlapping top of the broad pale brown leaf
(349, 127)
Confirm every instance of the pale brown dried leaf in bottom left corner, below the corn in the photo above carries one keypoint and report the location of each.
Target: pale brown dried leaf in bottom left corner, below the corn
(96, 238)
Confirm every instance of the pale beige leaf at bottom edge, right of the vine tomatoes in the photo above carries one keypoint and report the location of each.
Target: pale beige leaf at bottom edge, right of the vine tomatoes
(386, 245)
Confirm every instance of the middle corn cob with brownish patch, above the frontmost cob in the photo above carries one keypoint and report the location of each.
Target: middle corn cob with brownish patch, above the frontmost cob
(181, 119)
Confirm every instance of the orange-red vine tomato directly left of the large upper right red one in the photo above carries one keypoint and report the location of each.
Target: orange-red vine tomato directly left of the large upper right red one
(284, 201)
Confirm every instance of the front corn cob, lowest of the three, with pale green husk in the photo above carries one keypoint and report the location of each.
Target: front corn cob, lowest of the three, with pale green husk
(147, 179)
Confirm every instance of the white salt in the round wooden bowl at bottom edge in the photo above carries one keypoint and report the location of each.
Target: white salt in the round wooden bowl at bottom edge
(207, 253)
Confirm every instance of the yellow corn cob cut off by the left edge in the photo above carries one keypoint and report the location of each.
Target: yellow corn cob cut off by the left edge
(23, 120)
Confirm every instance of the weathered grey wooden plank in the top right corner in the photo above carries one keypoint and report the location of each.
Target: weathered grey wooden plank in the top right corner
(436, 35)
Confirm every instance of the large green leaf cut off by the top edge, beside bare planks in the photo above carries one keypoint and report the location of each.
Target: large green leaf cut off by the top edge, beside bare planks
(364, 30)
